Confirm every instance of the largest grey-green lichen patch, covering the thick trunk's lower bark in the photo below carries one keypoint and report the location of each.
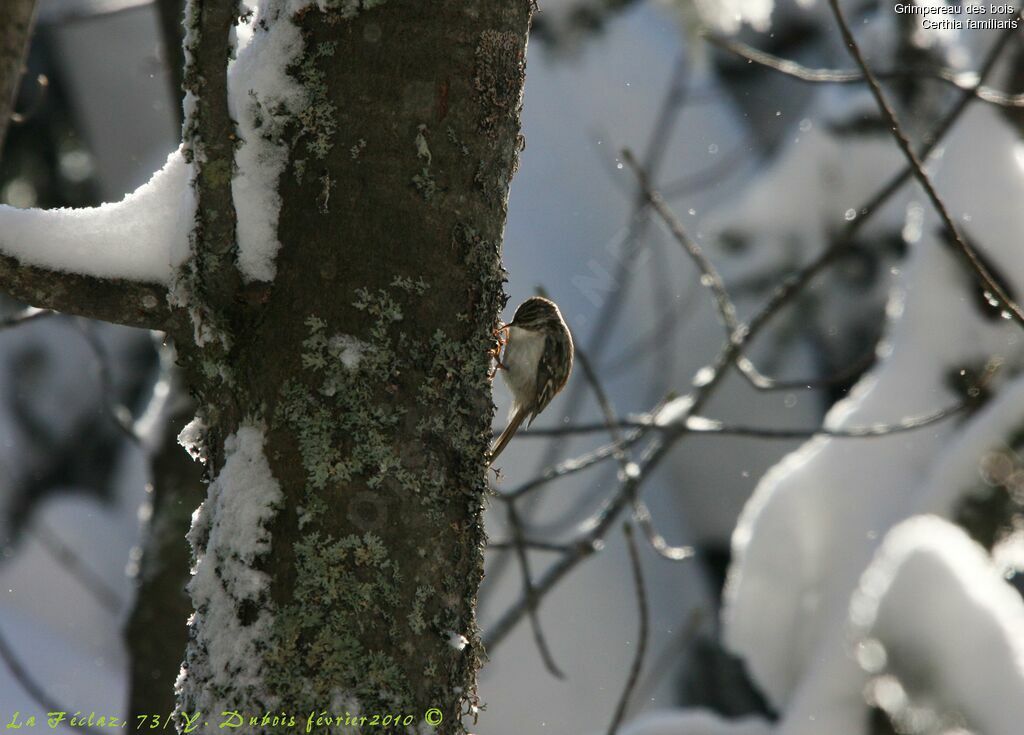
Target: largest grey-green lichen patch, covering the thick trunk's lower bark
(367, 460)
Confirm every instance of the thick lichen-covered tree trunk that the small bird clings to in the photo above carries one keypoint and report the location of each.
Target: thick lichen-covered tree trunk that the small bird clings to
(360, 374)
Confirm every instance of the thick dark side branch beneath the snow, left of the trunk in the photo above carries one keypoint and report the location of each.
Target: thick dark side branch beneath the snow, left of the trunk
(118, 300)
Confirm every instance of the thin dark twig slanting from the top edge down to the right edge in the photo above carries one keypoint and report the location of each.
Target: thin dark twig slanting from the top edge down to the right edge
(964, 248)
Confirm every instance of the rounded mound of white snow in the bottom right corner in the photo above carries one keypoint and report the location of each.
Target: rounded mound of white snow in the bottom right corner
(942, 630)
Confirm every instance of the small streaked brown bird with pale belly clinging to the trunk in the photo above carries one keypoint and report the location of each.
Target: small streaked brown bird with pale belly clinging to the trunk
(536, 363)
